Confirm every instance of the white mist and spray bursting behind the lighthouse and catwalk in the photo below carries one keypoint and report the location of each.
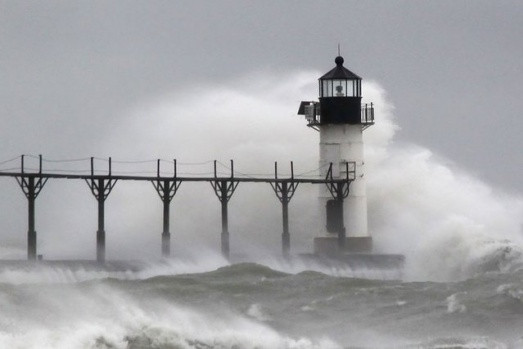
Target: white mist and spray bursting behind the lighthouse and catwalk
(447, 222)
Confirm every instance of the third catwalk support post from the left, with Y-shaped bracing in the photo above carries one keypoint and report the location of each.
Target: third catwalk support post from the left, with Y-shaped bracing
(166, 189)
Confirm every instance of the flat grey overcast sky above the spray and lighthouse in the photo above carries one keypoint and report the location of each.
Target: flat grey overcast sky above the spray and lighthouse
(453, 69)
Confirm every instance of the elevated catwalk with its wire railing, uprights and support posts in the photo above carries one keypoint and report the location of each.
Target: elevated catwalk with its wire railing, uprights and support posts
(166, 182)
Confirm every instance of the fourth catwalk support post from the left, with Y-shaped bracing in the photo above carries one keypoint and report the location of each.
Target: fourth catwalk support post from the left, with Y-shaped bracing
(224, 188)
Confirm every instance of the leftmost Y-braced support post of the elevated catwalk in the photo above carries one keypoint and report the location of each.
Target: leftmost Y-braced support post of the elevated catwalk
(31, 185)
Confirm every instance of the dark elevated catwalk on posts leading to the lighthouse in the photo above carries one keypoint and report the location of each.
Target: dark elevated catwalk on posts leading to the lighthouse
(32, 181)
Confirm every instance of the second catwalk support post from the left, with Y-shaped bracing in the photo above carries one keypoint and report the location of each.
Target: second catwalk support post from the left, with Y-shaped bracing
(101, 187)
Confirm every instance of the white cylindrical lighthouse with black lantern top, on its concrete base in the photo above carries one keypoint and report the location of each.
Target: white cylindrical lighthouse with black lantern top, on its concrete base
(340, 118)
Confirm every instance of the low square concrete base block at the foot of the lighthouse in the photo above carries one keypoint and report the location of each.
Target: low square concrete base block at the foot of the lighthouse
(329, 246)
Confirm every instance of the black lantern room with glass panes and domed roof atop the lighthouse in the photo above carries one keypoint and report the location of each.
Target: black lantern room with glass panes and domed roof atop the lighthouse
(340, 96)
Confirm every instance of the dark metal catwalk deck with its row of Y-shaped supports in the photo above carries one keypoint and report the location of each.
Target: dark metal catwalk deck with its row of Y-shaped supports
(167, 186)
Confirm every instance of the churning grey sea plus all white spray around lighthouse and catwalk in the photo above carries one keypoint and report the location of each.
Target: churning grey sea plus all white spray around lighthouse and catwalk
(461, 286)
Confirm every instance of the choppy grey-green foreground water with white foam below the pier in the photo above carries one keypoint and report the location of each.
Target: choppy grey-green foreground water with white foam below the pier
(250, 305)
